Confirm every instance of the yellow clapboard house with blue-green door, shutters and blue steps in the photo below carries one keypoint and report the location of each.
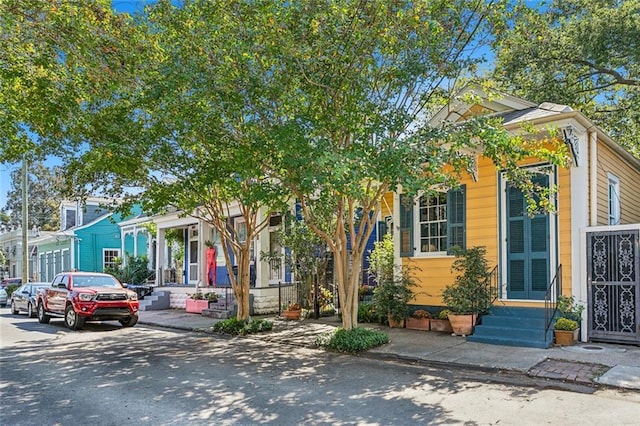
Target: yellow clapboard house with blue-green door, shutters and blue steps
(600, 188)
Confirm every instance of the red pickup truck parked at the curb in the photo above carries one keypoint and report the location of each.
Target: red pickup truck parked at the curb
(87, 296)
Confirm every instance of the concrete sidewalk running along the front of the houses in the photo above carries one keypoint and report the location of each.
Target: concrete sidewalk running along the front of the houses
(585, 363)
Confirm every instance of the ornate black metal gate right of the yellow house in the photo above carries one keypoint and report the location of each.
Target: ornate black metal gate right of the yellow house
(613, 278)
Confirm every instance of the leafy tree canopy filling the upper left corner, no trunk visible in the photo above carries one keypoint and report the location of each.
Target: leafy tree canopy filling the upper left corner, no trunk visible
(58, 61)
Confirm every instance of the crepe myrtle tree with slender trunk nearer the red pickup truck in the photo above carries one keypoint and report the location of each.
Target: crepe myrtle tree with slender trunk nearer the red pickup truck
(186, 135)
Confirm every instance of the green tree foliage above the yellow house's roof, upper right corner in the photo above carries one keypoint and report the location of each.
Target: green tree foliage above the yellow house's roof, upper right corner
(577, 53)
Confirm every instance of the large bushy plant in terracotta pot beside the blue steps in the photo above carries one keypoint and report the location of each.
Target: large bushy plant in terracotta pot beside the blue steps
(471, 293)
